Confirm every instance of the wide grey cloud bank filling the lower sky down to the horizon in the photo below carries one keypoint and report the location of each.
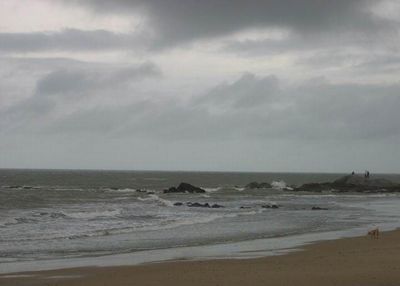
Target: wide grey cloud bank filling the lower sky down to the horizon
(331, 125)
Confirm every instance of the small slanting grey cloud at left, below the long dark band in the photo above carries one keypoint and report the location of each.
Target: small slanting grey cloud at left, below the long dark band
(64, 90)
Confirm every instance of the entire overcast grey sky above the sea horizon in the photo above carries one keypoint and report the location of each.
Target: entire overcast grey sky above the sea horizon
(255, 85)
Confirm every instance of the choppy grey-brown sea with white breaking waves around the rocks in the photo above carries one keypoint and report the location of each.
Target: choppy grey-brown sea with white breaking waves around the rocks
(61, 214)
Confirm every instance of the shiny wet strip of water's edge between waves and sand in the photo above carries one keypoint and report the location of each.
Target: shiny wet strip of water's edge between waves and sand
(238, 250)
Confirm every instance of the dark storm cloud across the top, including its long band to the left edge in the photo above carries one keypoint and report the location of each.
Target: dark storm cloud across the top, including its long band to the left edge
(168, 23)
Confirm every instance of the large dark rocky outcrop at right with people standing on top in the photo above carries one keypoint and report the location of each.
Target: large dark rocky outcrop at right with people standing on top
(353, 183)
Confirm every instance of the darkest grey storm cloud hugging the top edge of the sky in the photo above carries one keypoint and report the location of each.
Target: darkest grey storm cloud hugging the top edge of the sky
(178, 21)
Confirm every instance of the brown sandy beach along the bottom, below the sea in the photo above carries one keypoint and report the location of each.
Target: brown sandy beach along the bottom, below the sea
(350, 261)
